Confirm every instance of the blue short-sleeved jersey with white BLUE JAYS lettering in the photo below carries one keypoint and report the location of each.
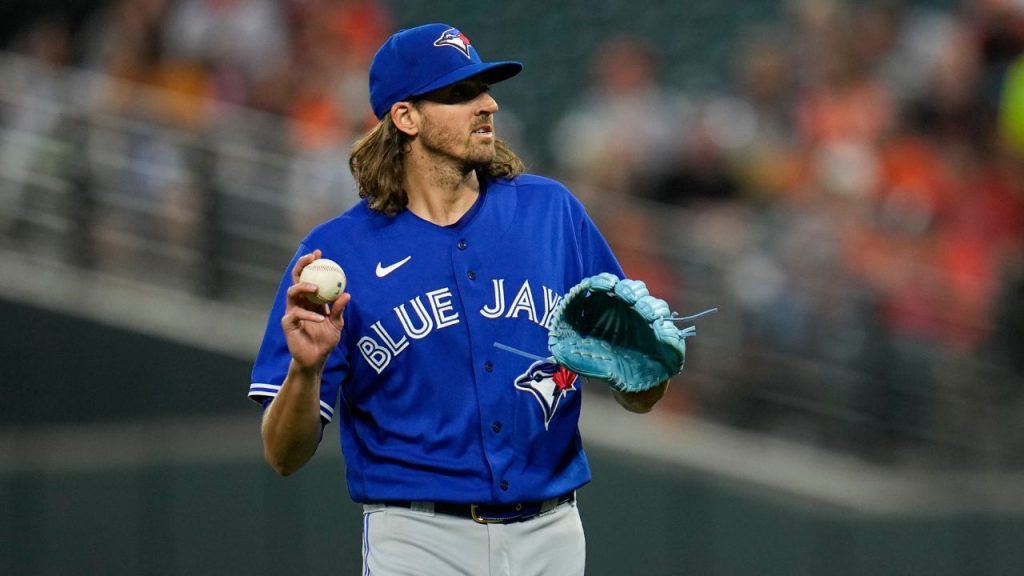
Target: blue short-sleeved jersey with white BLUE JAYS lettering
(430, 408)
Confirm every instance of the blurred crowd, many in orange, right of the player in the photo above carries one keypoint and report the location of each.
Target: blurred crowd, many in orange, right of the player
(858, 197)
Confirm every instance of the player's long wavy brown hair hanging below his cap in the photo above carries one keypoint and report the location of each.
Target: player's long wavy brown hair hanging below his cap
(378, 166)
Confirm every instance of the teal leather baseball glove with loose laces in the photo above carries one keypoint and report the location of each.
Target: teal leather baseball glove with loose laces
(616, 332)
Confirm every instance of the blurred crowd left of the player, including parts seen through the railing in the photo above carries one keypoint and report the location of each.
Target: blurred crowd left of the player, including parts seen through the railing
(182, 65)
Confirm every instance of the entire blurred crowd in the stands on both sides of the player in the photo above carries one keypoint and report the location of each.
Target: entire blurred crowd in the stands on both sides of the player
(854, 201)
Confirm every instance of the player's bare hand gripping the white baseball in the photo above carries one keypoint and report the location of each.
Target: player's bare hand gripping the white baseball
(312, 331)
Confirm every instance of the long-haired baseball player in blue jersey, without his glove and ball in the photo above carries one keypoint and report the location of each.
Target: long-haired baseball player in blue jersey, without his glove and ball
(466, 456)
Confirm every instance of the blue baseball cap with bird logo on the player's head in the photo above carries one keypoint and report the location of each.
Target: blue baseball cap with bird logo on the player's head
(421, 60)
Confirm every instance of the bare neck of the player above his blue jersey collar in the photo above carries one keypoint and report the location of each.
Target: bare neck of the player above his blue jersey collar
(441, 196)
